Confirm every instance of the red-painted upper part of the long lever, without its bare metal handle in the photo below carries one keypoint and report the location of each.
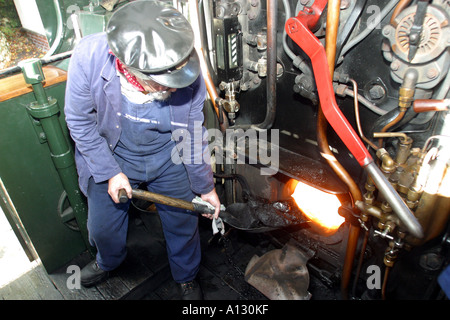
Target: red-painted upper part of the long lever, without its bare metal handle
(297, 29)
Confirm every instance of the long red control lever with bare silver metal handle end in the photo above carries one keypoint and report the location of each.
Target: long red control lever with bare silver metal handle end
(298, 29)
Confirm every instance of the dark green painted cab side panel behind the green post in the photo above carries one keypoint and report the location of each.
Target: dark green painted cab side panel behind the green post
(32, 181)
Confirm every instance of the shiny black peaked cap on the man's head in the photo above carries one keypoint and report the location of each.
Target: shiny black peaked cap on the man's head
(154, 41)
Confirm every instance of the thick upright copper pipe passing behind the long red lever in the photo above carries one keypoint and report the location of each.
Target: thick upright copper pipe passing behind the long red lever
(330, 48)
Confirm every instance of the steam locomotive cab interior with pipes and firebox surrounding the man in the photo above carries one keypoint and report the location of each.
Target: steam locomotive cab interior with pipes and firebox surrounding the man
(329, 135)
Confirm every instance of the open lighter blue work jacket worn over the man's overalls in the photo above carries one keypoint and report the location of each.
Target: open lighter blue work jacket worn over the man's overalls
(93, 103)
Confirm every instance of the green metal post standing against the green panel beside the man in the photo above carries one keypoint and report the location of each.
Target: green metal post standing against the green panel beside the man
(45, 110)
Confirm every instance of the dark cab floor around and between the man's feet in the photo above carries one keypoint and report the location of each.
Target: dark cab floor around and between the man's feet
(145, 273)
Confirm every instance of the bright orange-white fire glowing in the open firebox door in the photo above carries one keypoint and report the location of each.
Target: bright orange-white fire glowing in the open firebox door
(320, 207)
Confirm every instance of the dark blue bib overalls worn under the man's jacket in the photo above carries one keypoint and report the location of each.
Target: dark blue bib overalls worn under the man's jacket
(144, 154)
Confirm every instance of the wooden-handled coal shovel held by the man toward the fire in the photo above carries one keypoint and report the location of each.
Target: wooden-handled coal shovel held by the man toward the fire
(237, 215)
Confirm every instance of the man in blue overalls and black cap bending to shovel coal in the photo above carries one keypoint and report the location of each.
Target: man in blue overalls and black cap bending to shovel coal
(134, 102)
